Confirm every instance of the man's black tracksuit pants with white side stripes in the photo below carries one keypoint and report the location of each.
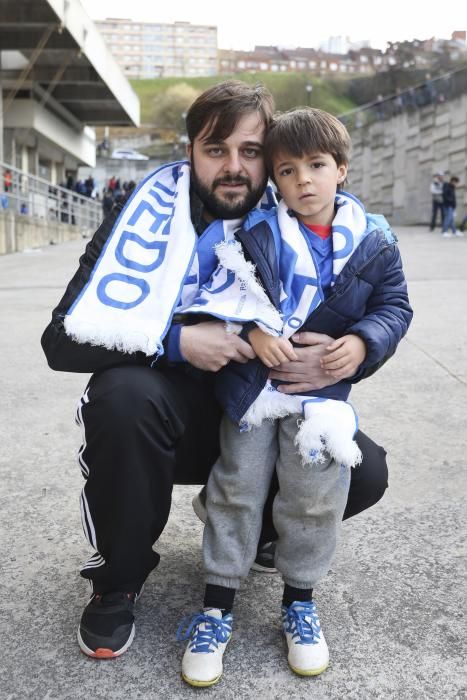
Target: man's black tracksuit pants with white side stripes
(145, 430)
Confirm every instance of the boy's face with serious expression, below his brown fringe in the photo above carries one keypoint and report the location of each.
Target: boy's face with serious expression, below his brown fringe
(308, 185)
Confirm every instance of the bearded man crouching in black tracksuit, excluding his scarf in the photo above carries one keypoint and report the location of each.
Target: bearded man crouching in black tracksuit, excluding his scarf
(149, 424)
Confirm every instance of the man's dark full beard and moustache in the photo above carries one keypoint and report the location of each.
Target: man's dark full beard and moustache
(223, 208)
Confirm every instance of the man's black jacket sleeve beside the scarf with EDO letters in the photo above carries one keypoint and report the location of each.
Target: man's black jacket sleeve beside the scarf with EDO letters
(62, 352)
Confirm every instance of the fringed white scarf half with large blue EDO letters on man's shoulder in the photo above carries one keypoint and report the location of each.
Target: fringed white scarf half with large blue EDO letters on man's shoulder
(129, 299)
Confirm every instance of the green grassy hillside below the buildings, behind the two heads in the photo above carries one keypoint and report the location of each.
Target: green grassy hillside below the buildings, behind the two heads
(289, 90)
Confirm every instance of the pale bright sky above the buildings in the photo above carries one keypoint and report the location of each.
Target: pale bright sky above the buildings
(242, 24)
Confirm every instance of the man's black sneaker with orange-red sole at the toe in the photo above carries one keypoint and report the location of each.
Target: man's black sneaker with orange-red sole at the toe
(107, 626)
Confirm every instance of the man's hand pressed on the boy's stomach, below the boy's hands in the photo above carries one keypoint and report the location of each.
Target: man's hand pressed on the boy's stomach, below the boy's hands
(306, 373)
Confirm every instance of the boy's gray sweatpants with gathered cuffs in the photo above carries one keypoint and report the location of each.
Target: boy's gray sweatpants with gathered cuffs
(307, 510)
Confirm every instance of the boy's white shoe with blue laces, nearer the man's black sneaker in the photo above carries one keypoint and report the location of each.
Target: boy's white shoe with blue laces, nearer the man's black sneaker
(208, 633)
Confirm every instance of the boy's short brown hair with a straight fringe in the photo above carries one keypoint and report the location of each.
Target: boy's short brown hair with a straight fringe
(304, 131)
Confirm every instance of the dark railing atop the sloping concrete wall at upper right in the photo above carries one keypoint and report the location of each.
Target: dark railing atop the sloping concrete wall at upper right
(431, 91)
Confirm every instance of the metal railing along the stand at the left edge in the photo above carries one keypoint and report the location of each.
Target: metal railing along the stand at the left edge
(33, 196)
